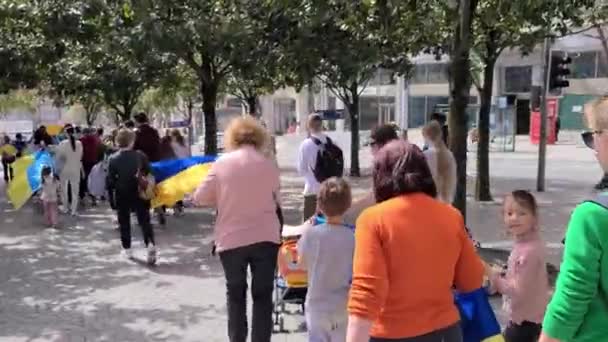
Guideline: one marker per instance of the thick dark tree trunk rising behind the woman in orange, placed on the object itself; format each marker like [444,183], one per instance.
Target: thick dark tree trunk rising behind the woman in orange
[460,86]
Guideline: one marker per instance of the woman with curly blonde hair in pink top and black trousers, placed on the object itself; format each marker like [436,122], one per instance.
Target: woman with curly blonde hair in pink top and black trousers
[247,230]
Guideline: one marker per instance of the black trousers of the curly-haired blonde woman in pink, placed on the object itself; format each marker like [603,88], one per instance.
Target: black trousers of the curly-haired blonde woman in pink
[262,259]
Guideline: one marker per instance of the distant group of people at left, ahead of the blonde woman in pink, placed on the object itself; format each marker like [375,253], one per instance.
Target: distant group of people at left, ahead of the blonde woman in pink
[121,157]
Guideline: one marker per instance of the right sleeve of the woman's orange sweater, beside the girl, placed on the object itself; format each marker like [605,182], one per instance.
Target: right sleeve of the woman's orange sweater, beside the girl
[469,272]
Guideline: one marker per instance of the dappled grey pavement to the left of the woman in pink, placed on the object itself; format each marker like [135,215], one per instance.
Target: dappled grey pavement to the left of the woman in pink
[71,284]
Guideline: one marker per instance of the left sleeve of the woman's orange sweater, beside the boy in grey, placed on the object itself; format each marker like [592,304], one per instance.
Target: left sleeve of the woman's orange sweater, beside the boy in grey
[370,276]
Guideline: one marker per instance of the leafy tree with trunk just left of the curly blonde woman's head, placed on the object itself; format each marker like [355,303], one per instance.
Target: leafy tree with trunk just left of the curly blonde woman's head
[210,37]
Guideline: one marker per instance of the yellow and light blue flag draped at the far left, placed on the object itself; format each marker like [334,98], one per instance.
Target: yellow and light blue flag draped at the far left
[27,172]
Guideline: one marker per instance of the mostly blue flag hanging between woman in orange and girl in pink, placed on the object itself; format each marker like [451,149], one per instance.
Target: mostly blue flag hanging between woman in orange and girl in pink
[478,321]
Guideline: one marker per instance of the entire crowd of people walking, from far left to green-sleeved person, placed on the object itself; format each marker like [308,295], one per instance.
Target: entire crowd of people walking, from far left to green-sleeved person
[394,277]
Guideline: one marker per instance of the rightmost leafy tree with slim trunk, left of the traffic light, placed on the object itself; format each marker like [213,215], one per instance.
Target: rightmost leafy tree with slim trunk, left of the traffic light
[500,25]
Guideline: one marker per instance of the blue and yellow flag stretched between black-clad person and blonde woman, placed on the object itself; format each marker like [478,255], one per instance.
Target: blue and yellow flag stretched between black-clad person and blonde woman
[178,177]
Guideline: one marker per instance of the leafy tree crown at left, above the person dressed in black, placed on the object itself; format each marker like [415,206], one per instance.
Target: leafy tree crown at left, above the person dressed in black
[109,61]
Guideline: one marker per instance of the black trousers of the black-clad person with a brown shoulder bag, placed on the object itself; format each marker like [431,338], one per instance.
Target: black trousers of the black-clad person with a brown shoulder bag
[125,205]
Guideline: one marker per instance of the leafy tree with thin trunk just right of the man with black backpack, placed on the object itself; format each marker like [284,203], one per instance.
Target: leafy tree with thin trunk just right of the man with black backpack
[343,43]
